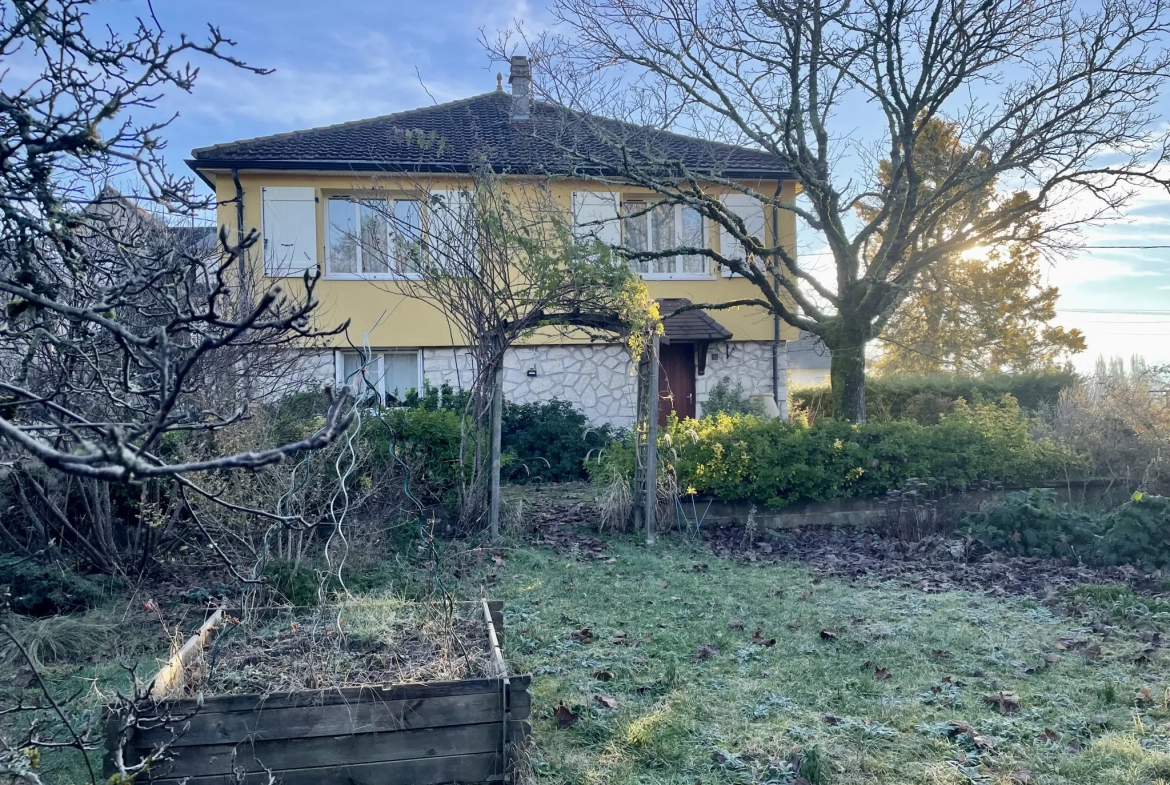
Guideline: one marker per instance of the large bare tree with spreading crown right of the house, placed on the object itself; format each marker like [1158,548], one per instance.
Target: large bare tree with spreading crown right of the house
[1055,98]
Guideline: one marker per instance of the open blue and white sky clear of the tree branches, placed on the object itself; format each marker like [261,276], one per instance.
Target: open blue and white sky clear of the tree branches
[347,60]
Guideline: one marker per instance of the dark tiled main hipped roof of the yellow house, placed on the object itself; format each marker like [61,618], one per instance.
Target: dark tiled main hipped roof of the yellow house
[462,135]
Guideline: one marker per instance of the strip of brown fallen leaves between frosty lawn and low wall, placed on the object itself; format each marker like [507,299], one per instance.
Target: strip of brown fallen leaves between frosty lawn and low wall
[933,564]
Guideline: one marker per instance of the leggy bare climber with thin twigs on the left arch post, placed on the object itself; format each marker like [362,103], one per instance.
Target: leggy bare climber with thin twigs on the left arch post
[500,260]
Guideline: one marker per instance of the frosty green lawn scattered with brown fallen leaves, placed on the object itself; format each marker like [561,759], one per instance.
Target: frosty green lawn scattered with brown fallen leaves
[655,657]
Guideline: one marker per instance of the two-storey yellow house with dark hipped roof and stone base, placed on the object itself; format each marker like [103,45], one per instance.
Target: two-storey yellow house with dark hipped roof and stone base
[300,190]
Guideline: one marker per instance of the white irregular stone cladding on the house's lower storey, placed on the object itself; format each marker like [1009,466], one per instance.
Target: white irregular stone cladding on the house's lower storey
[596,378]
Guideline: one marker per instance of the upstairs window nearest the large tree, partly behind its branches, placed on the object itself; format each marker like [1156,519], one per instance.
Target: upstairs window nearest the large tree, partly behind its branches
[650,228]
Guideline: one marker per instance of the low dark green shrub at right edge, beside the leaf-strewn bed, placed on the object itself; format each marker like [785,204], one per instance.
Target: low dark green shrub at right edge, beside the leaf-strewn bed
[1033,524]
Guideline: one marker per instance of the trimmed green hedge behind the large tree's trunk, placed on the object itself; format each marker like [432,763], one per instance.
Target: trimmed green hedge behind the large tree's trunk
[926,397]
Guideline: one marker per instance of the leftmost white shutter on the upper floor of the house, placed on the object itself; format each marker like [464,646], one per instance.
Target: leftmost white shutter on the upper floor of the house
[290,231]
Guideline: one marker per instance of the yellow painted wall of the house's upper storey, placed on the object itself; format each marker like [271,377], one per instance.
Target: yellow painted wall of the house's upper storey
[394,319]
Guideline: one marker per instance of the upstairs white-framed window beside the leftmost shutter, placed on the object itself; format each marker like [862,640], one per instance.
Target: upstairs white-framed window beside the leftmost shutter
[375,237]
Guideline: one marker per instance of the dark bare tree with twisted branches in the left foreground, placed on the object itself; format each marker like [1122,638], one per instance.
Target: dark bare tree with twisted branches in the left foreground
[109,327]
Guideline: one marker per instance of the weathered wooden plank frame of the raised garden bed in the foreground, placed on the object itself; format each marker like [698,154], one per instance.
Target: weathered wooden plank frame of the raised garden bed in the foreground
[419,734]
